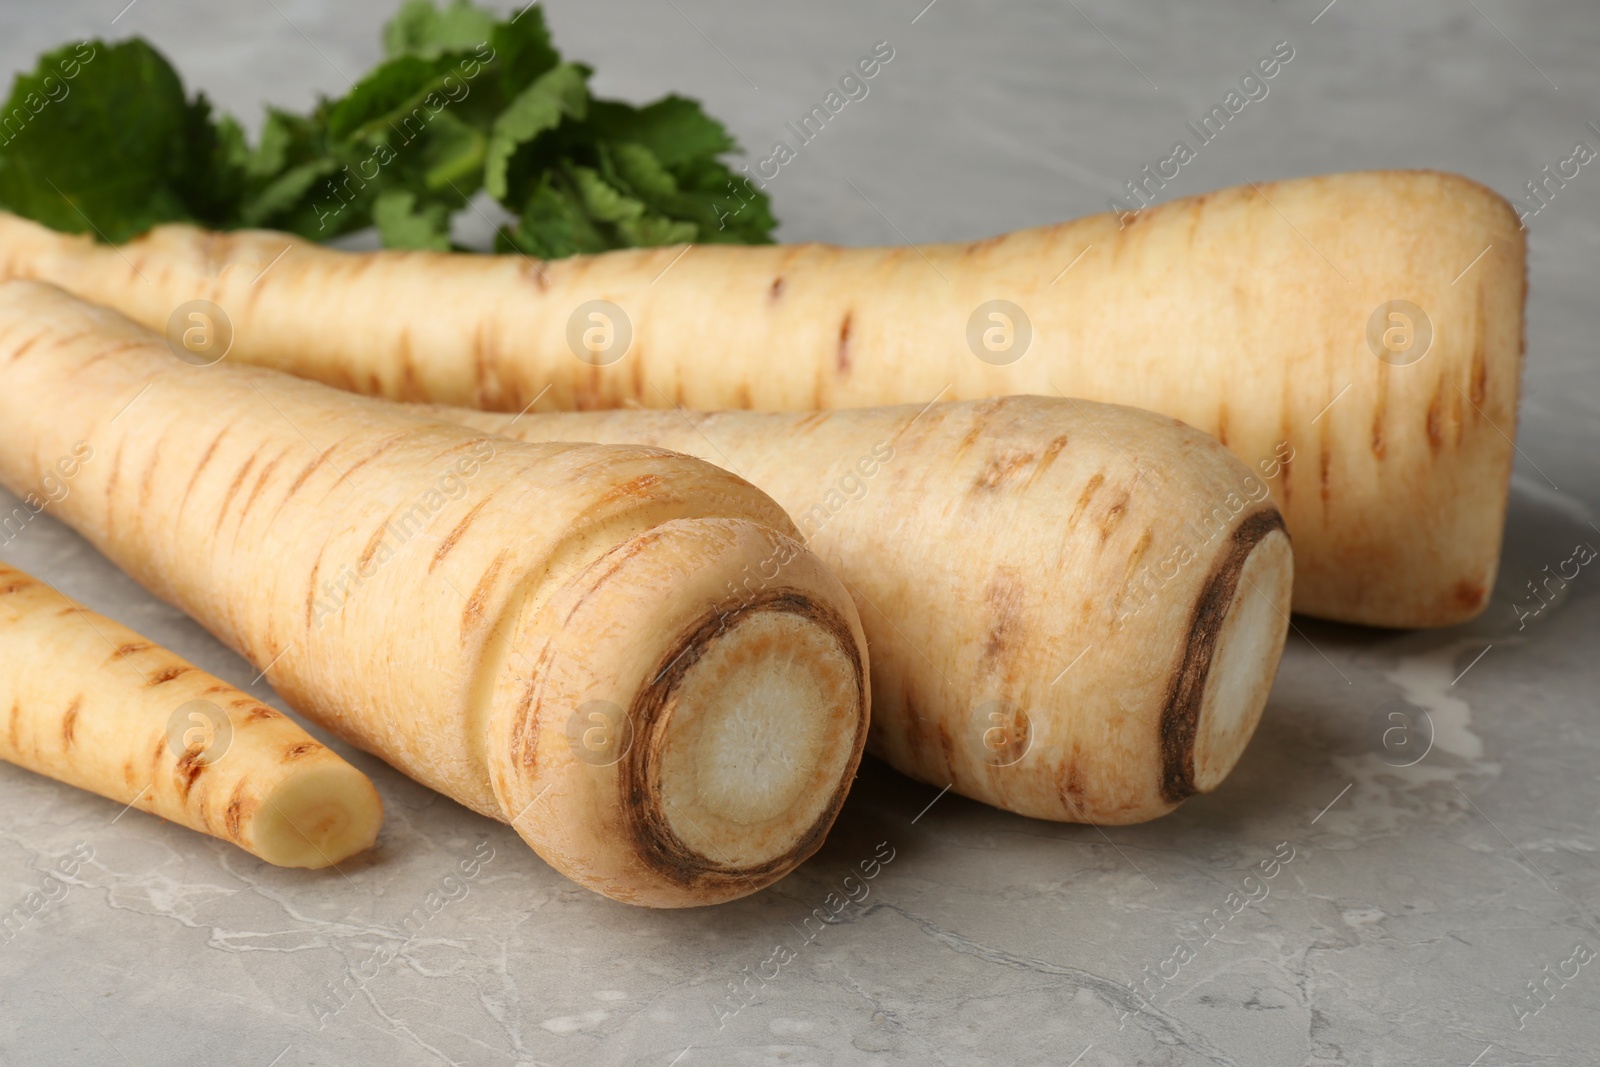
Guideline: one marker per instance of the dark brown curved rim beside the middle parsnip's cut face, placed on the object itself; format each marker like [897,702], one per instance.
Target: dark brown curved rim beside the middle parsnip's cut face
[1186,690]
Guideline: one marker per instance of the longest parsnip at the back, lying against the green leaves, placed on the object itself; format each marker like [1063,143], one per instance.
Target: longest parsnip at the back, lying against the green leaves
[1257,314]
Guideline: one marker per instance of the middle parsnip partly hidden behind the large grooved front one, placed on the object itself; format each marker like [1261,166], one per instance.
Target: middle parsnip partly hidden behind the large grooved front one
[1076,610]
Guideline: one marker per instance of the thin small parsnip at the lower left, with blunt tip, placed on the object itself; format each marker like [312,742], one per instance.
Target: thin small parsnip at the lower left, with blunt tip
[94,705]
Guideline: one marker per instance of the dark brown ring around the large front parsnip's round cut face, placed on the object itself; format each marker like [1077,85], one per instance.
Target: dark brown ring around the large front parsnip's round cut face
[647,825]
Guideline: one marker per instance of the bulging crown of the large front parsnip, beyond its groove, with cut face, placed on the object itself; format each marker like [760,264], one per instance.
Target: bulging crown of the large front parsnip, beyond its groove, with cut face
[697,714]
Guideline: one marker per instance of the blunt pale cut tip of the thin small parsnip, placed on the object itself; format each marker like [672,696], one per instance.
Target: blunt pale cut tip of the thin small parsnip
[318,818]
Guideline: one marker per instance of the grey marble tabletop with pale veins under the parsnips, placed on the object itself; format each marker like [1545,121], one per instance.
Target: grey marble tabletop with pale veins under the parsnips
[1412,906]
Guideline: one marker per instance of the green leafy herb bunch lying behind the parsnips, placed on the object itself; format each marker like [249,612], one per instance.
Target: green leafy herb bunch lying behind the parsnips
[103,138]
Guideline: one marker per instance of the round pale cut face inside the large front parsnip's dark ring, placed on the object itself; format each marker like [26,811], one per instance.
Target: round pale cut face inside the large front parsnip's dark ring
[756,740]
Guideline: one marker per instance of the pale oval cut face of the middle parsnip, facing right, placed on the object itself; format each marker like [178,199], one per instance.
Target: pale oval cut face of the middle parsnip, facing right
[1254,588]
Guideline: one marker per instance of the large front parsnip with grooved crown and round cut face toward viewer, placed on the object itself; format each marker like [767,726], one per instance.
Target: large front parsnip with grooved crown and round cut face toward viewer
[538,631]
